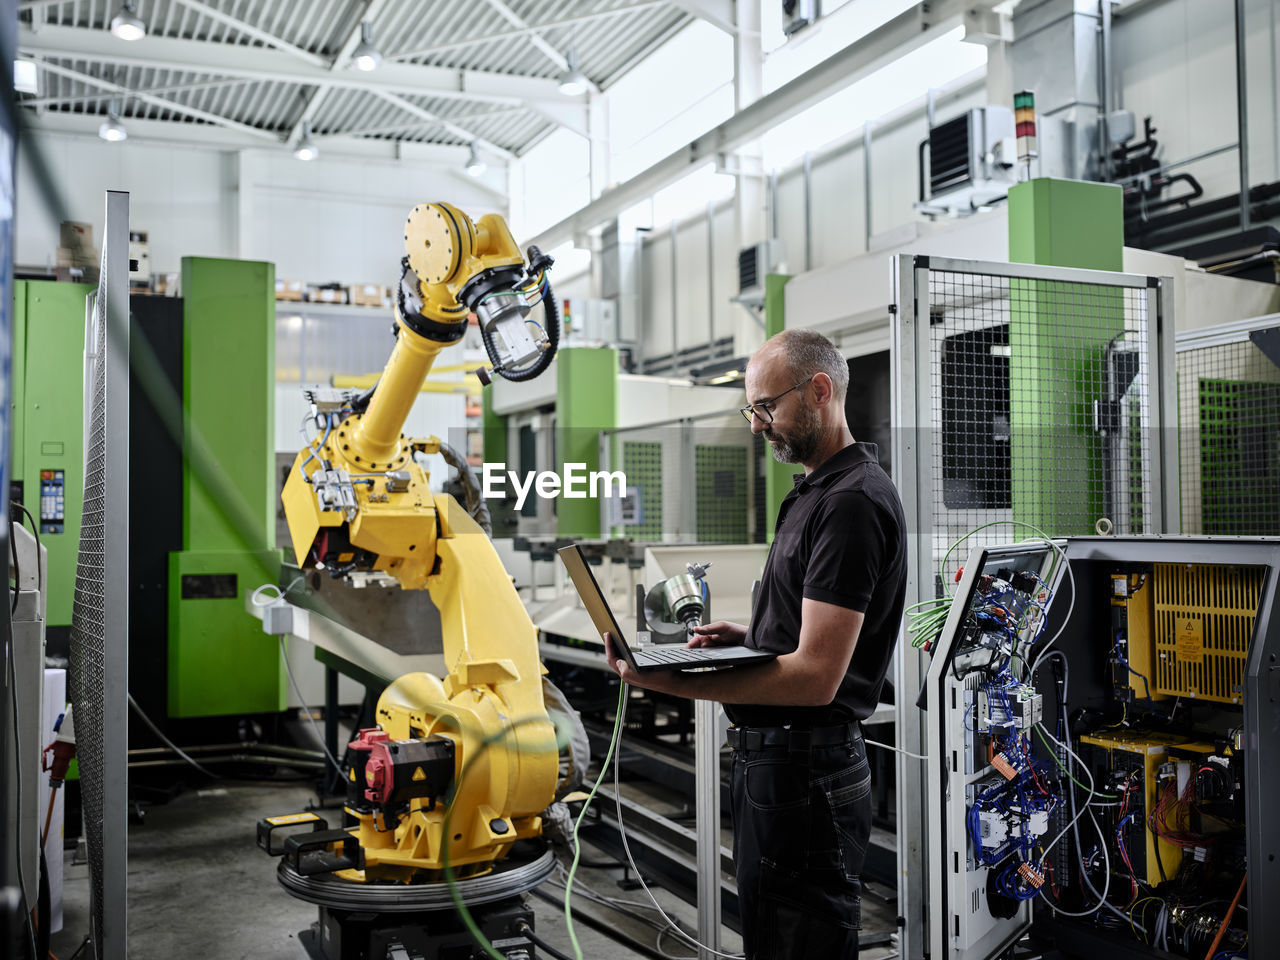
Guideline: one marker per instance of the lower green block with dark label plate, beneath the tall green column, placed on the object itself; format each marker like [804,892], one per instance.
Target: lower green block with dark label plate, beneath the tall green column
[221,661]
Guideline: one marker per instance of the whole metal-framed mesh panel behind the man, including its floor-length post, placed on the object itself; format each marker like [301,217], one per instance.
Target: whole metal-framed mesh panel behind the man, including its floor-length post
[1027,400]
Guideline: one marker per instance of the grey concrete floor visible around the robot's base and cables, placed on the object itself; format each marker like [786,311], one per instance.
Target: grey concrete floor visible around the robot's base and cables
[200,888]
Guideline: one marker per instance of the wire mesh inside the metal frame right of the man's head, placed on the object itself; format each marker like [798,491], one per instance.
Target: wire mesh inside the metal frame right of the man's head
[1039,409]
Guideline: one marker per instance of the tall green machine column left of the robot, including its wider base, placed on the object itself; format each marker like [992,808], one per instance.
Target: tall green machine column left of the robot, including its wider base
[221,662]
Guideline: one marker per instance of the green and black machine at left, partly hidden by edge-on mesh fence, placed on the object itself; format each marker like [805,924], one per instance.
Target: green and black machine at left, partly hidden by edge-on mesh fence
[202,513]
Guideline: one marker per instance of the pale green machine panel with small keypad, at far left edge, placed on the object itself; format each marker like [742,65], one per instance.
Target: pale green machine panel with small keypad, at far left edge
[48,424]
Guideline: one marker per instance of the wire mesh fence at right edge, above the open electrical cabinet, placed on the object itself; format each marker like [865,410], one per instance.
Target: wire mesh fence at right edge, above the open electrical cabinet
[1229,432]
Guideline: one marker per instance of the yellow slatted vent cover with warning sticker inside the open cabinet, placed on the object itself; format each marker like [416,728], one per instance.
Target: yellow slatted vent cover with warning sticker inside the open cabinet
[1203,621]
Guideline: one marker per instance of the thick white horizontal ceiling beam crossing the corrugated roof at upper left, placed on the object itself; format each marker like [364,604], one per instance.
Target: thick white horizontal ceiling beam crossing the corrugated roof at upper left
[258,63]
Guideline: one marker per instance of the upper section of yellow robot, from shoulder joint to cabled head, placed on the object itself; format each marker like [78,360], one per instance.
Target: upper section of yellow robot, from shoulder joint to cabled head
[356,500]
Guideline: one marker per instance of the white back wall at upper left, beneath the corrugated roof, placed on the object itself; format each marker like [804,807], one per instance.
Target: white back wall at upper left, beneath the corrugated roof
[332,220]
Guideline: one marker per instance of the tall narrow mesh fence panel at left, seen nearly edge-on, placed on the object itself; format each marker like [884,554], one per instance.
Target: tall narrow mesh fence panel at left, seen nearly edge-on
[89,612]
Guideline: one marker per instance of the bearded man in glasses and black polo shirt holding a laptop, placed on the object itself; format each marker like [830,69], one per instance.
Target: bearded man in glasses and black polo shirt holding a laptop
[830,606]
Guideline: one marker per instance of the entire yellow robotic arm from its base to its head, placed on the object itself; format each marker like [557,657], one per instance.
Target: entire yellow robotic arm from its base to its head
[358,501]
